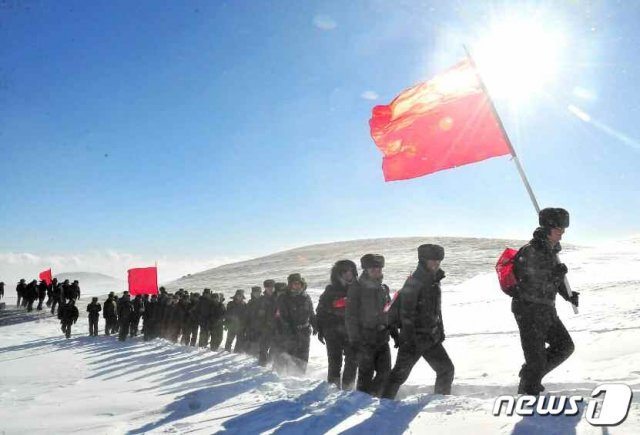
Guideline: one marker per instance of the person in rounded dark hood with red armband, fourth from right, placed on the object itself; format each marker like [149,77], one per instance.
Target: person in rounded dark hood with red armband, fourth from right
[332,328]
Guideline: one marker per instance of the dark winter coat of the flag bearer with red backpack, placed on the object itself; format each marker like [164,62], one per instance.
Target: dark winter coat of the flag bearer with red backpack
[535,268]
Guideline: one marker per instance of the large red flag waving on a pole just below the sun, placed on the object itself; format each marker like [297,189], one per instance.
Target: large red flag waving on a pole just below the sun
[439,124]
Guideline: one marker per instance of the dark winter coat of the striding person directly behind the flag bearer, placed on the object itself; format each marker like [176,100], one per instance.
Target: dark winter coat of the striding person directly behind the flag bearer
[421,308]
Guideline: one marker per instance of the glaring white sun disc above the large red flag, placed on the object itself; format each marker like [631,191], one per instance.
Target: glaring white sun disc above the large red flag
[517,57]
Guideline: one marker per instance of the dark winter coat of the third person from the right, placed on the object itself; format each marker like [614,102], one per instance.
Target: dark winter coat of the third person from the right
[366,319]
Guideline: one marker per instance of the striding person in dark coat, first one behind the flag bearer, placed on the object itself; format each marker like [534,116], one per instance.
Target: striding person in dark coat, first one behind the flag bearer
[421,326]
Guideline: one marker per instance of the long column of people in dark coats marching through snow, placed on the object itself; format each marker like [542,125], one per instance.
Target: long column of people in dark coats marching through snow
[355,317]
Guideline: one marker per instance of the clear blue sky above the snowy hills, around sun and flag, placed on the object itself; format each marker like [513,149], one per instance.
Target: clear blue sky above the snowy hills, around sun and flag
[222,129]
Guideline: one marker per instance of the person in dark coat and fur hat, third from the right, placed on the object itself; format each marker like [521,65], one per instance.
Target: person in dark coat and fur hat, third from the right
[367,325]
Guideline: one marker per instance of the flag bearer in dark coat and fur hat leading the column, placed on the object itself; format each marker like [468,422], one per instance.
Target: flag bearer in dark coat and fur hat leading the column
[540,277]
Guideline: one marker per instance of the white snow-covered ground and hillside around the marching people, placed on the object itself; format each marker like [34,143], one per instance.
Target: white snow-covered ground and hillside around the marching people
[98,385]
